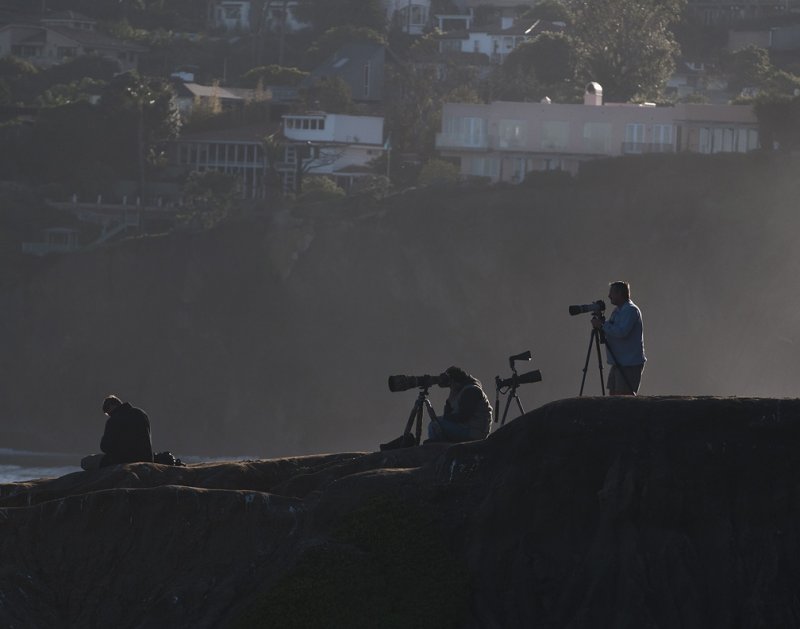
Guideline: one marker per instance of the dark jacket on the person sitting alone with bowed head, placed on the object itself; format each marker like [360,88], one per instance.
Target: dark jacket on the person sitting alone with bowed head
[127,436]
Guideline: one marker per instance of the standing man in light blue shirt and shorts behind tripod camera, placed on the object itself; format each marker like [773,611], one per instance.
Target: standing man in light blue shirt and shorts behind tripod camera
[624,341]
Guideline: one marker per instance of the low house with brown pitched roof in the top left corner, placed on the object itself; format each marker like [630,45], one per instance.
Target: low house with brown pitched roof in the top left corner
[62,36]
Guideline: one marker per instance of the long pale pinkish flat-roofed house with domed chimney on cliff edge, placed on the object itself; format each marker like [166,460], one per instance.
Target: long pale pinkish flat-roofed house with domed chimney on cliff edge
[506,140]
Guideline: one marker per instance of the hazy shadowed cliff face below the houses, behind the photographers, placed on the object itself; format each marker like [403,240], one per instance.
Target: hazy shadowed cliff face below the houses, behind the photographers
[275,336]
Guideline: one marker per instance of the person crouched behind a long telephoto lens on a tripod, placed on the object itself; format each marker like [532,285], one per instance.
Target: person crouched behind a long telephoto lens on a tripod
[467,412]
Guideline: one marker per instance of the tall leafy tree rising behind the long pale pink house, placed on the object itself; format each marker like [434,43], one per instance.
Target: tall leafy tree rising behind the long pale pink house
[627,45]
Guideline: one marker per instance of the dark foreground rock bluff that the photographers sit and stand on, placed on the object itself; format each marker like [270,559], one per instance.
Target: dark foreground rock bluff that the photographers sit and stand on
[586,512]
